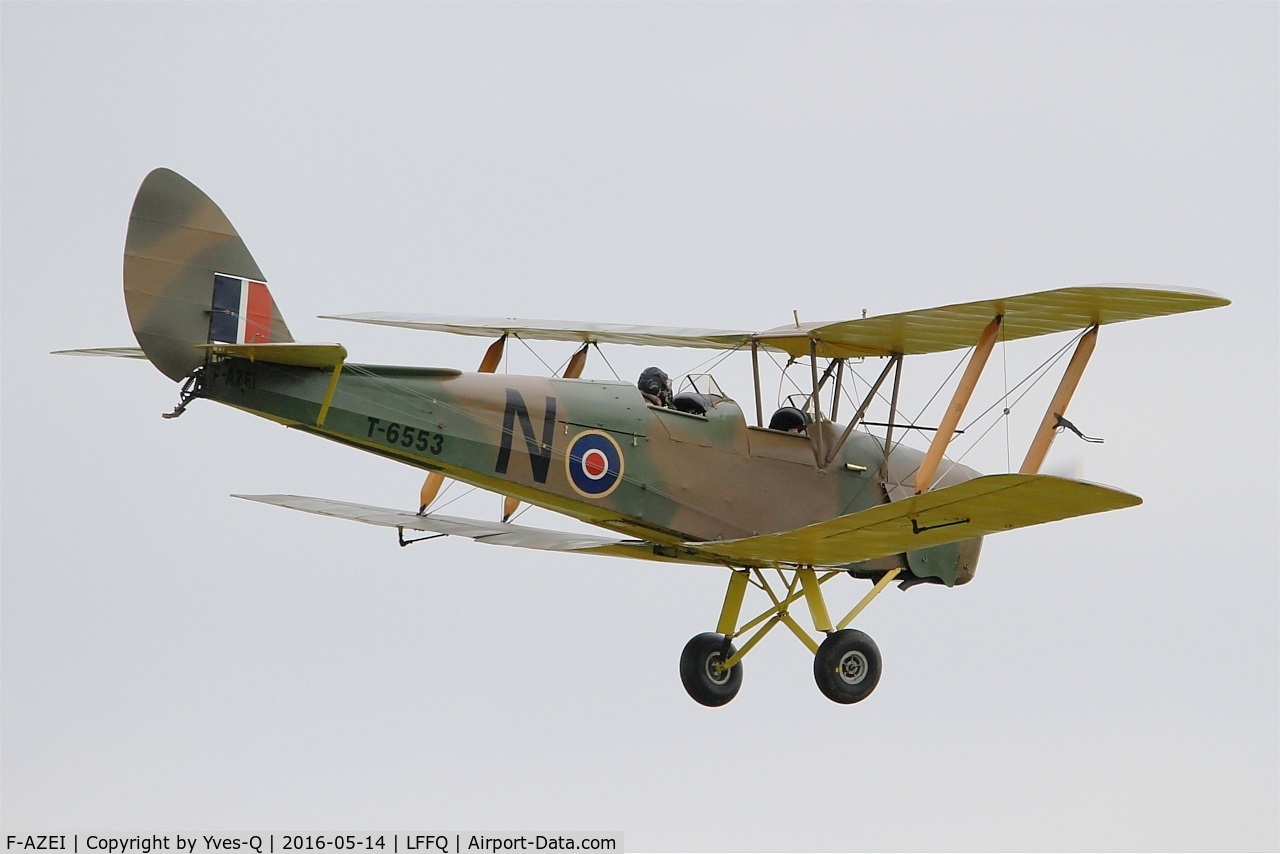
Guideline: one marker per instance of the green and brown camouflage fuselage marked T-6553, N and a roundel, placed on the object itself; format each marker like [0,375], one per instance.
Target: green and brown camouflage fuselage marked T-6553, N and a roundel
[589,449]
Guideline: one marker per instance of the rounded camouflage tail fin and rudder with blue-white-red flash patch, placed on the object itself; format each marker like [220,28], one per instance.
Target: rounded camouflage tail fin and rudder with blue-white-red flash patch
[190,280]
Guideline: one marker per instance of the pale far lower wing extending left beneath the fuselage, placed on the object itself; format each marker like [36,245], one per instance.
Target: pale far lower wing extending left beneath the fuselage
[482,532]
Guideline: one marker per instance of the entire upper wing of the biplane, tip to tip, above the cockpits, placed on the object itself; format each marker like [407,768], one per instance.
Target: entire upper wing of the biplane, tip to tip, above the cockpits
[927,331]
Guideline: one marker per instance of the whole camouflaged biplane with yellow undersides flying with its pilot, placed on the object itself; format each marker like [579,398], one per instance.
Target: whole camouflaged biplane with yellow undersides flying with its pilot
[785,504]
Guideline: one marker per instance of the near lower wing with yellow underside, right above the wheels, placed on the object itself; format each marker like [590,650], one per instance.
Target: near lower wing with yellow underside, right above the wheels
[973,509]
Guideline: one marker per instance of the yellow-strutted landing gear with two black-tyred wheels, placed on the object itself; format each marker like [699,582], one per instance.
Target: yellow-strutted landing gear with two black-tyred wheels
[847,664]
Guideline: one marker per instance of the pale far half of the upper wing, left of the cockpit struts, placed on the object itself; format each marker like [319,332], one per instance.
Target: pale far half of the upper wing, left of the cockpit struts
[579,332]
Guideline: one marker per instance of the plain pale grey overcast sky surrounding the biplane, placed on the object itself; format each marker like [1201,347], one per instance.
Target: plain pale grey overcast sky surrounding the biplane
[179,660]
